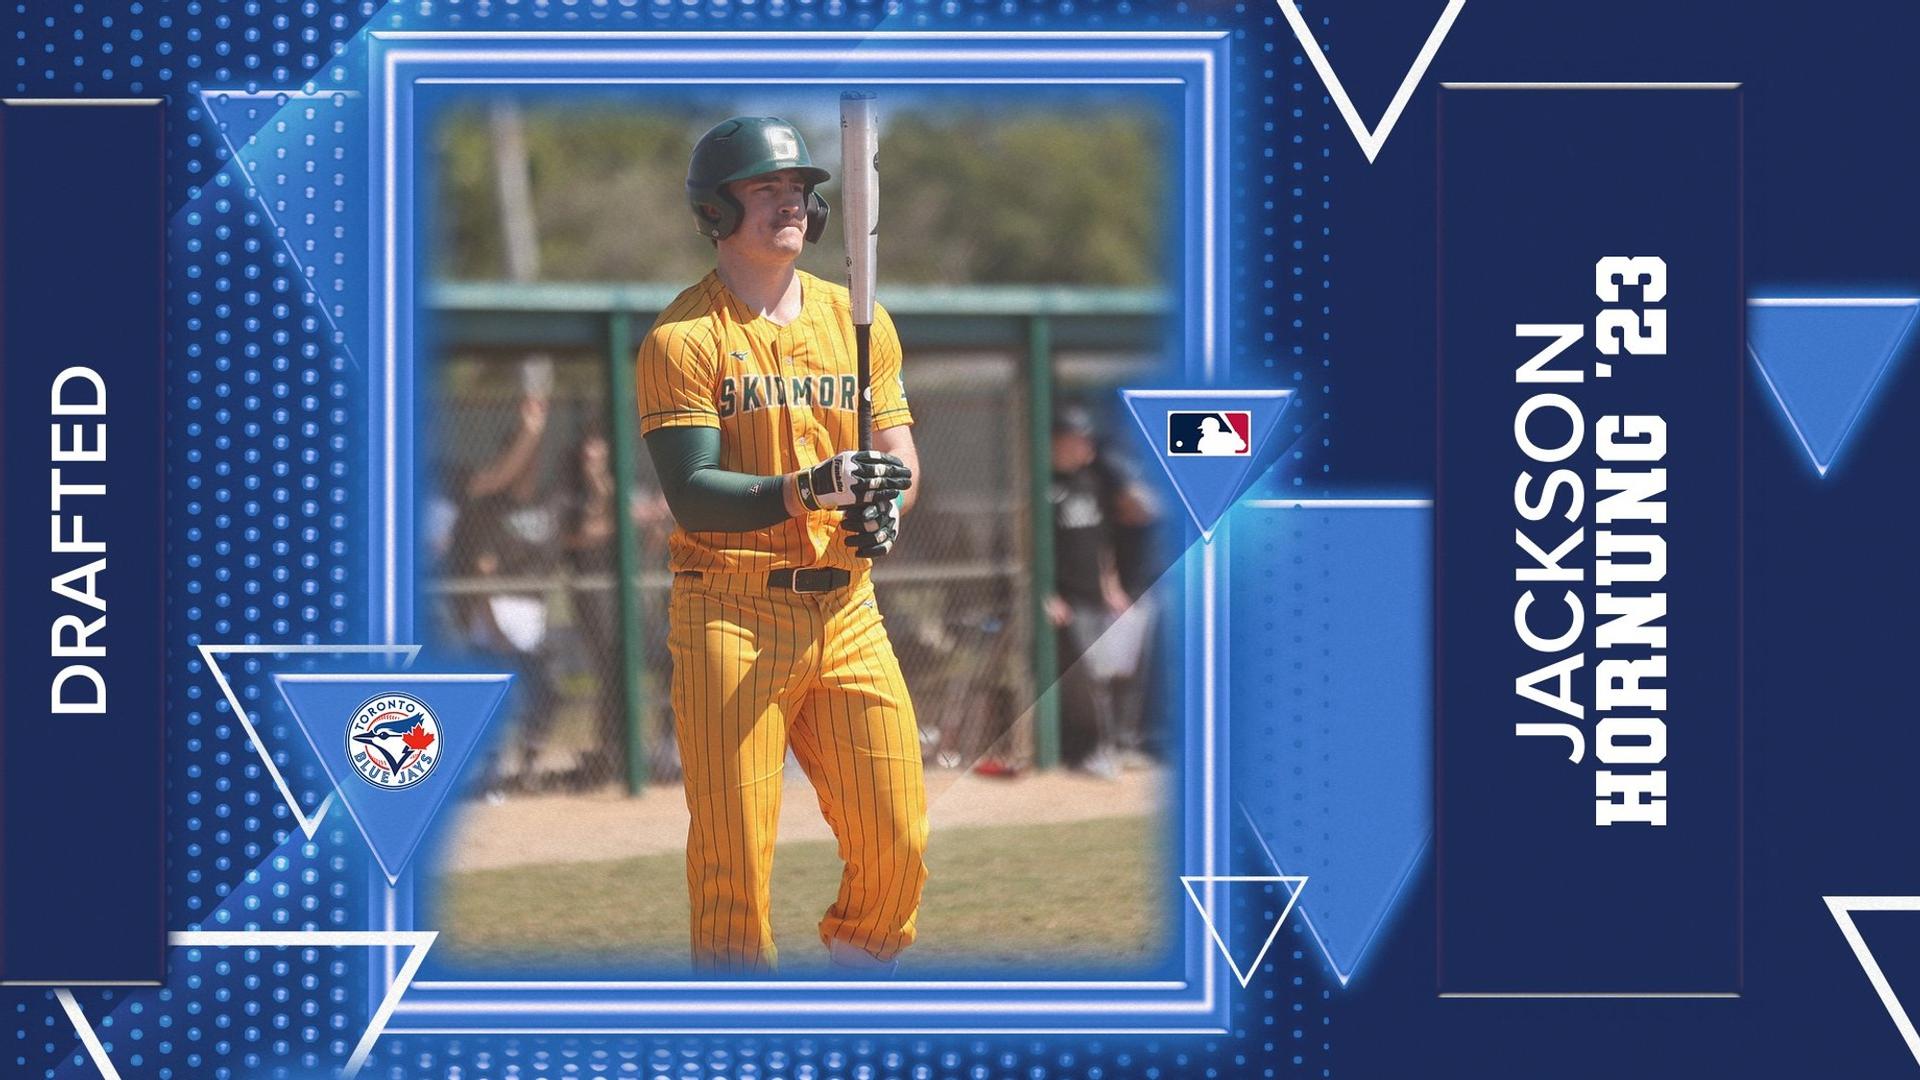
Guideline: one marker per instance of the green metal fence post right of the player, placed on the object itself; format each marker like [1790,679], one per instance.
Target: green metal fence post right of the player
[1042,476]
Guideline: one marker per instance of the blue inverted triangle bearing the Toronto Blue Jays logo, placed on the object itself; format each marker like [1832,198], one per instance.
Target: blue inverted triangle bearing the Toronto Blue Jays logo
[437,722]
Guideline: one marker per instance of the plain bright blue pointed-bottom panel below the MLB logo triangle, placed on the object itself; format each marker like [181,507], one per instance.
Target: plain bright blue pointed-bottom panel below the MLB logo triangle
[1332,629]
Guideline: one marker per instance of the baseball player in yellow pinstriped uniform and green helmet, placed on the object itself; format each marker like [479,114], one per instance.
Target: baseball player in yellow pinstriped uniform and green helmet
[748,403]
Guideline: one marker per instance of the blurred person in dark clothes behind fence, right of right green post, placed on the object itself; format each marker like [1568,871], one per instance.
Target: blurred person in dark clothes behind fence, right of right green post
[1090,499]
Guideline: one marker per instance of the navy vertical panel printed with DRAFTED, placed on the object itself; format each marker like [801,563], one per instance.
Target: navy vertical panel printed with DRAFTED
[82,727]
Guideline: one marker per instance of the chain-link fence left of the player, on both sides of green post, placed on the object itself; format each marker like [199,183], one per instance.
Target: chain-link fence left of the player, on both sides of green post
[525,543]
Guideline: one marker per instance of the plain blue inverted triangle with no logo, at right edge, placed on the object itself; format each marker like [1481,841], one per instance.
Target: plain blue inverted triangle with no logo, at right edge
[1823,362]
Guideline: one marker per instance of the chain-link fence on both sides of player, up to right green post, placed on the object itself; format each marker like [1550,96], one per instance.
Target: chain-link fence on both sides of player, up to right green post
[525,543]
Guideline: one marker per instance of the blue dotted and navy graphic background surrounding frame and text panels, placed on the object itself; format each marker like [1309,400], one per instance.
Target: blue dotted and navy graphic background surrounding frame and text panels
[1333,268]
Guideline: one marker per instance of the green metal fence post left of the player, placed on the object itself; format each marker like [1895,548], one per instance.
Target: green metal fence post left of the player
[625,447]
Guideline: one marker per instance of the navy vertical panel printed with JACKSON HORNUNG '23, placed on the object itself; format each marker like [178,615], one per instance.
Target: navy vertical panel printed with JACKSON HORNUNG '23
[1589,635]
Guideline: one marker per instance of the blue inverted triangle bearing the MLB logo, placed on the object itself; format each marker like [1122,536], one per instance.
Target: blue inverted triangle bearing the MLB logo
[1207,483]
